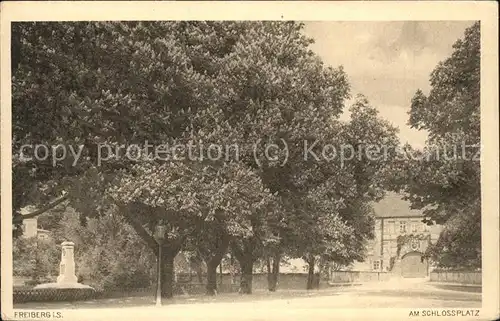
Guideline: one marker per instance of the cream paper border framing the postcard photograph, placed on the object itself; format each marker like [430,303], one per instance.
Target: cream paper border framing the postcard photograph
[486,11]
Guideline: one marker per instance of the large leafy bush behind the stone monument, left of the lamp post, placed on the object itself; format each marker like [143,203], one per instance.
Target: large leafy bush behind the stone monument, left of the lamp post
[108,253]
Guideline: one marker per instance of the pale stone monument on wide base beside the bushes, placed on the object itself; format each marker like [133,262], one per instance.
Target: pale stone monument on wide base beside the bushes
[67,277]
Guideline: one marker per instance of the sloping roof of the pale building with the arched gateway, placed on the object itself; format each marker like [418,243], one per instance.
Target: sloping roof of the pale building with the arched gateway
[393,205]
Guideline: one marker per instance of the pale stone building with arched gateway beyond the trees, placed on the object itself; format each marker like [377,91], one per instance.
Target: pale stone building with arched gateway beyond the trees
[400,240]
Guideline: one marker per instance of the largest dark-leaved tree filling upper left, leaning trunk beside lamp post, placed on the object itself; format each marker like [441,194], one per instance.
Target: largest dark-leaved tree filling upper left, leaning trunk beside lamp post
[99,83]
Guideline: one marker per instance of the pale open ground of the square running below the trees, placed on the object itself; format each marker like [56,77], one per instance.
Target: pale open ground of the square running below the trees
[380,295]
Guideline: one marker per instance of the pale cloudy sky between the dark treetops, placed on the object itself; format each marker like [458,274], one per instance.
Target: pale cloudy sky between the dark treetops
[387,61]
